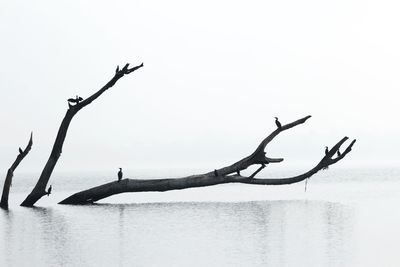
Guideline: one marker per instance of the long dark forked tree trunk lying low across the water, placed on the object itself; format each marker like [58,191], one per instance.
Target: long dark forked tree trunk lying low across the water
[229,174]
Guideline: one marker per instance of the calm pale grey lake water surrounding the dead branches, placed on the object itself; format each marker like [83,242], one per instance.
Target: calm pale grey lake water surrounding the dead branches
[346,218]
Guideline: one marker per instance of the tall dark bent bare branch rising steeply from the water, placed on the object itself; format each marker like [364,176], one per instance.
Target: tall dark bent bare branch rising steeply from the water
[40,189]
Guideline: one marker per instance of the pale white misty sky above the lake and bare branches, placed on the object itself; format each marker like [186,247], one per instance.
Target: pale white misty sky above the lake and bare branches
[215,75]
